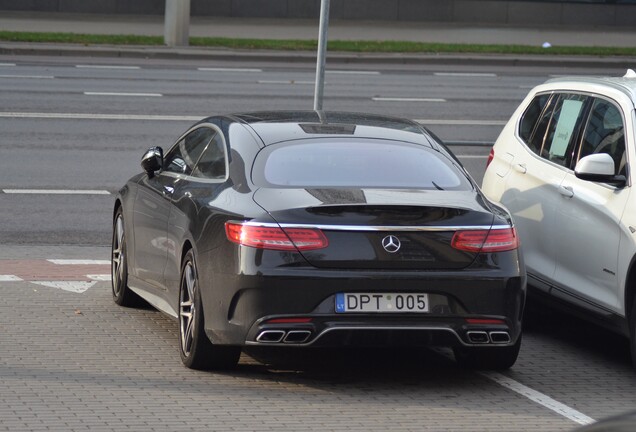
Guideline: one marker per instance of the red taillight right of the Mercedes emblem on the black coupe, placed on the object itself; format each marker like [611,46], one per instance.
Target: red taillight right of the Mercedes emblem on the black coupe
[496,240]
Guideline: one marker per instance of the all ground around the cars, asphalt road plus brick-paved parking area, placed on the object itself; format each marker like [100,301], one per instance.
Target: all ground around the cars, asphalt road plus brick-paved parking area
[73,360]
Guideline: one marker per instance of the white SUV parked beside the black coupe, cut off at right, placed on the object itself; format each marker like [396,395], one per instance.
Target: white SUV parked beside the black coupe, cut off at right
[563,166]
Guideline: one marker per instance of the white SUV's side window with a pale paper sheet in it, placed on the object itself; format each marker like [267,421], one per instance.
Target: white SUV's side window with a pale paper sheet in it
[560,137]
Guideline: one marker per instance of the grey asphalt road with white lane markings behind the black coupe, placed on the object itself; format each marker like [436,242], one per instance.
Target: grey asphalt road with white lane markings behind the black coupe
[82,124]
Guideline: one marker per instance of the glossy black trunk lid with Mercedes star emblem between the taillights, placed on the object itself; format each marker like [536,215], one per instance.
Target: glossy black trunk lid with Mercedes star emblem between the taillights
[380,229]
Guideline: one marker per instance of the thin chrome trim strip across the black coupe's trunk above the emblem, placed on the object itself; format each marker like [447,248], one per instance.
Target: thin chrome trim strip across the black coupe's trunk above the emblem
[376,228]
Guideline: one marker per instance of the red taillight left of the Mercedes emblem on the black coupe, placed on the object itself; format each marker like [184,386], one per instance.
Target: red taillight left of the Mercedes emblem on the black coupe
[266,237]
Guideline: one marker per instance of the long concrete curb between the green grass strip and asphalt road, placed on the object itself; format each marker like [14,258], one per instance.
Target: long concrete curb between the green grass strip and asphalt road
[194,53]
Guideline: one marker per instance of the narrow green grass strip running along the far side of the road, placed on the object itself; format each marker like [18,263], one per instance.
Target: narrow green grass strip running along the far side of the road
[311,45]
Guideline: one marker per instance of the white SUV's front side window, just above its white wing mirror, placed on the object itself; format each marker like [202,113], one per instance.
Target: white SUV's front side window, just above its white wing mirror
[604,133]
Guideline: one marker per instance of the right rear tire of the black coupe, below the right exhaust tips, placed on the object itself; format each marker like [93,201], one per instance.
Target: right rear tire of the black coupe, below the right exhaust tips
[488,358]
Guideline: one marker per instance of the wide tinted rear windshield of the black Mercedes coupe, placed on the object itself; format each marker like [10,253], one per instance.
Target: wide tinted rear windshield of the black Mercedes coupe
[356,163]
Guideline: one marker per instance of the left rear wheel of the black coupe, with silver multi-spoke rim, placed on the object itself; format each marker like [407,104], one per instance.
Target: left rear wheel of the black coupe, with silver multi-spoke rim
[197,352]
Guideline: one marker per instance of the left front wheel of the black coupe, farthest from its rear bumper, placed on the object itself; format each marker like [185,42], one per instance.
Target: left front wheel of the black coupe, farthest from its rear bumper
[122,295]
